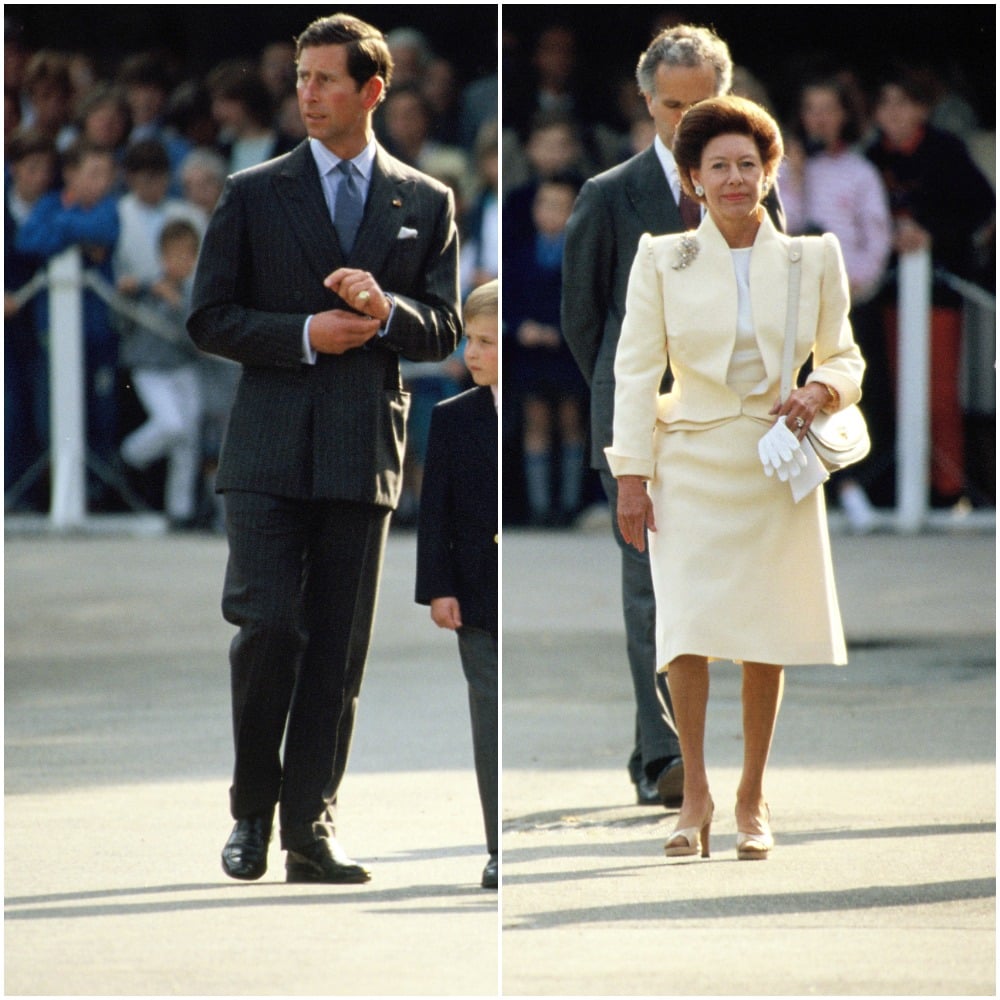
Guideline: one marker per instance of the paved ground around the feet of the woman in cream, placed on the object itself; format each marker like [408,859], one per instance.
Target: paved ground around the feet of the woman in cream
[882,788]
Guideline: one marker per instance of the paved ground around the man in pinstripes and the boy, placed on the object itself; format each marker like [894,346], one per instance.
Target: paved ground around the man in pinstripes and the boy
[117,766]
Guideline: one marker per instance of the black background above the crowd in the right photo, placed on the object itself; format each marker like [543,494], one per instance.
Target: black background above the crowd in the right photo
[778,43]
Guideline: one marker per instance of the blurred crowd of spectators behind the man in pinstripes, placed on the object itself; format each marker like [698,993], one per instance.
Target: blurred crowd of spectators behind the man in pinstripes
[127,161]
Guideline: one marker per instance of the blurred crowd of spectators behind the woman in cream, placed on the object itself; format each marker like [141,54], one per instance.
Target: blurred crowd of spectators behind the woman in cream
[875,162]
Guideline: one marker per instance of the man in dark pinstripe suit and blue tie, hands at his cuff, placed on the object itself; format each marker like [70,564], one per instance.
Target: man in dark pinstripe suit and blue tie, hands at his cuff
[320,269]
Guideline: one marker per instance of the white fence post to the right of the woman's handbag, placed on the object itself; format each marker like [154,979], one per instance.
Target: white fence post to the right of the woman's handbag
[913,390]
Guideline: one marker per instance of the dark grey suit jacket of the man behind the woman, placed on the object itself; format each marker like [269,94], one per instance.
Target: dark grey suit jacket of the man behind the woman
[612,212]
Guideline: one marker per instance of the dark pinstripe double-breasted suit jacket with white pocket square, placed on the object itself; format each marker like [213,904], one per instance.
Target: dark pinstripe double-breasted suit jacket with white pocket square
[335,430]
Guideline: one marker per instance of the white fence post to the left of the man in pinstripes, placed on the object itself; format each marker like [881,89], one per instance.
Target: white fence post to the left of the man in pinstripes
[67,403]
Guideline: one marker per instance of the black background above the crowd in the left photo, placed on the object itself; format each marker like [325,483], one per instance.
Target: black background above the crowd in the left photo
[201,35]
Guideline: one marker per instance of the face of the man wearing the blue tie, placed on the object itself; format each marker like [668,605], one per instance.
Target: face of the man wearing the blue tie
[334,109]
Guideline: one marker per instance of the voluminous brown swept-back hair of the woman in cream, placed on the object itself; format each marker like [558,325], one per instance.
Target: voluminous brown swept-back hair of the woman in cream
[725,116]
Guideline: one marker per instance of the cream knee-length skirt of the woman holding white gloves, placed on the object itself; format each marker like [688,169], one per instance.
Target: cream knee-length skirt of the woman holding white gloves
[740,571]
